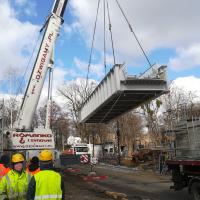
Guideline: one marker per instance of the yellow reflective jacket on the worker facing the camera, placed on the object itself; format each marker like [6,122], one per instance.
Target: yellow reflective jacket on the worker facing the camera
[14,186]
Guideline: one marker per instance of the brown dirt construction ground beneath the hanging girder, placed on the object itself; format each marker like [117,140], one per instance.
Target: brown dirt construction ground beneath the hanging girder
[121,183]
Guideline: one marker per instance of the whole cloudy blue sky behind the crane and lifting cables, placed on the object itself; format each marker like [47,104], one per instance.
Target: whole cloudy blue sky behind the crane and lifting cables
[168,30]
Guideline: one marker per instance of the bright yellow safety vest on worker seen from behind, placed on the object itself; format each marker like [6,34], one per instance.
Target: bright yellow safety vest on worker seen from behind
[48,185]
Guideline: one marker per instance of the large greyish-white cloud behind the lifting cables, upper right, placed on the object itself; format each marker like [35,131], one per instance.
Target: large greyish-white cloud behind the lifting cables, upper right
[157,23]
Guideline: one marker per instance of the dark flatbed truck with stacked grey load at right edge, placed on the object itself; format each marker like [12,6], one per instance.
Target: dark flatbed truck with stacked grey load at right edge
[185,165]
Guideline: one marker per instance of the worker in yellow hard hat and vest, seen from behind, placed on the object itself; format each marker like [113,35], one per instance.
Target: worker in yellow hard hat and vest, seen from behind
[46,184]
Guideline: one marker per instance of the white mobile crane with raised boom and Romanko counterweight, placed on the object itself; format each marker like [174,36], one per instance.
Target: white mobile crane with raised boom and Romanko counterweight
[24,137]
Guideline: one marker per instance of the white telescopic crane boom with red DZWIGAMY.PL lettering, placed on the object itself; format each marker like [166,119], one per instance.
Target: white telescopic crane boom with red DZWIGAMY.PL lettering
[43,59]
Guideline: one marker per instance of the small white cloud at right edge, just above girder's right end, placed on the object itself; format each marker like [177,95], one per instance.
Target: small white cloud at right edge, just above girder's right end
[186,58]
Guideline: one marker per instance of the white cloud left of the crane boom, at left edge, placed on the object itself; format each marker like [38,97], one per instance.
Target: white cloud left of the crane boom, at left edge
[16,41]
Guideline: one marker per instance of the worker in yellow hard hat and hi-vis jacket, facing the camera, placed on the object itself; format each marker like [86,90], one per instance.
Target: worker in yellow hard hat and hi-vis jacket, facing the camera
[14,184]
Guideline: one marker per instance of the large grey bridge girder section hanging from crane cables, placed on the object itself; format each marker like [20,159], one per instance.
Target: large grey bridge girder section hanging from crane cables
[118,93]
